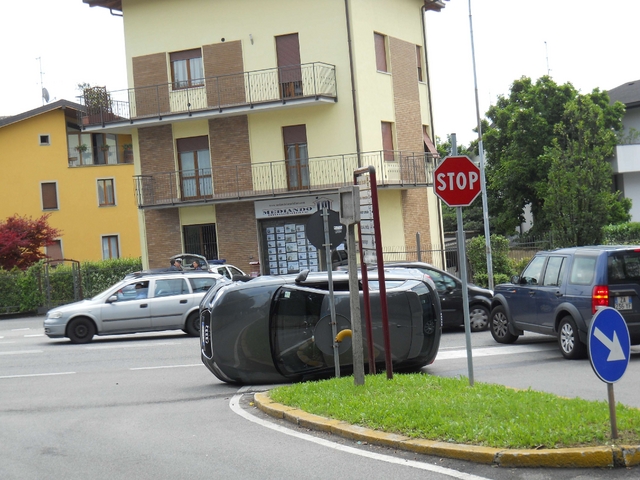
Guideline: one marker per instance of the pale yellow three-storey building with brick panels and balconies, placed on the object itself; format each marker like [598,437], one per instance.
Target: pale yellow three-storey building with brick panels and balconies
[247,116]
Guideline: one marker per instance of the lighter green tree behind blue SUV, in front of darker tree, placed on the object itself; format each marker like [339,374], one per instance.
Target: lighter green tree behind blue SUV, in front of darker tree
[578,200]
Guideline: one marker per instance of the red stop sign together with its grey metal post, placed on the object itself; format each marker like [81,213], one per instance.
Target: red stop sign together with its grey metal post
[456,181]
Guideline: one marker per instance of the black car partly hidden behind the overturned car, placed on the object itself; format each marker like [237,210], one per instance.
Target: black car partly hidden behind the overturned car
[449,289]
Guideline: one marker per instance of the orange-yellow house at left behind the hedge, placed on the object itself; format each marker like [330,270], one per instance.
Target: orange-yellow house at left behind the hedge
[86,190]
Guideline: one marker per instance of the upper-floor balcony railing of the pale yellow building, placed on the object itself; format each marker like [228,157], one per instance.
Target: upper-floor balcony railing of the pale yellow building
[246,89]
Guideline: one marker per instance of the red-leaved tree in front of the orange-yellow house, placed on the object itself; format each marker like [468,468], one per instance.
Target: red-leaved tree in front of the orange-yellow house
[22,240]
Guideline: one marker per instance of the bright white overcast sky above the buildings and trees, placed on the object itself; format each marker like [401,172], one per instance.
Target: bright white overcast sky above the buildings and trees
[589,43]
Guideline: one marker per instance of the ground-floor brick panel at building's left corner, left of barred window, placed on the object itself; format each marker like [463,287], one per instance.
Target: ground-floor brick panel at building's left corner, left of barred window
[164,238]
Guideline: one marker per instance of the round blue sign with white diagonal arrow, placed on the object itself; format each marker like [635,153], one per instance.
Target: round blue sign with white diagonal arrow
[609,345]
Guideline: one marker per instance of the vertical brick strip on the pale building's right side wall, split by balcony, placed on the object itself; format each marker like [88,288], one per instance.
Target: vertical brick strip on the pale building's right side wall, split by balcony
[415,212]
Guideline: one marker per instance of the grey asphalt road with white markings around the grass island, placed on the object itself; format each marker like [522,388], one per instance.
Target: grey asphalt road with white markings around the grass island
[143,406]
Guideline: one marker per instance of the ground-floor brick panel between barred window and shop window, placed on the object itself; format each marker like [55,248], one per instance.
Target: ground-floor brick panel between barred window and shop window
[237,231]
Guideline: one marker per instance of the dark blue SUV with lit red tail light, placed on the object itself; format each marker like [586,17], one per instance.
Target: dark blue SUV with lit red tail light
[559,291]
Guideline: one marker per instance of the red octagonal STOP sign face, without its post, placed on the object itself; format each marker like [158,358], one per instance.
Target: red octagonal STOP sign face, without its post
[457,181]
